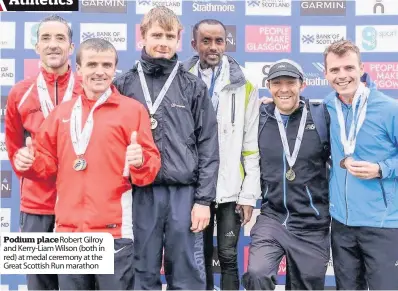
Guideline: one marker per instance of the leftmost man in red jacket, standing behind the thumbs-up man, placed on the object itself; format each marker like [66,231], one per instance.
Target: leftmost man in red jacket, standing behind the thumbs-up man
[29,103]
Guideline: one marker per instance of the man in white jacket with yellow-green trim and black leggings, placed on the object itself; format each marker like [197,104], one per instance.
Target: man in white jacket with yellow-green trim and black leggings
[235,100]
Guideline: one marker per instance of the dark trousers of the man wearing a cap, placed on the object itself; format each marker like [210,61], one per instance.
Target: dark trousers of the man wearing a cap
[307,255]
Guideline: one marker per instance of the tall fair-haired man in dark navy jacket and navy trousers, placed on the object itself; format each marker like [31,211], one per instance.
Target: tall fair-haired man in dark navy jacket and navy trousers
[172,212]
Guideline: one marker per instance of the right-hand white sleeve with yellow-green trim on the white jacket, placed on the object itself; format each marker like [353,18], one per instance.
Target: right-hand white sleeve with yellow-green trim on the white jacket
[251,188]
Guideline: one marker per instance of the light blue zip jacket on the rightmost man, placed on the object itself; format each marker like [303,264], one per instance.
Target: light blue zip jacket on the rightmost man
[359,202]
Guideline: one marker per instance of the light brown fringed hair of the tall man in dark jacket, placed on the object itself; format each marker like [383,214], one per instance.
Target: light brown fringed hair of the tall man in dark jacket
[164,16]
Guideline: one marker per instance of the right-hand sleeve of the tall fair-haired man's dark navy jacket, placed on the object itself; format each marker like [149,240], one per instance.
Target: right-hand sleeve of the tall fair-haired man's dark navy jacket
[206,132]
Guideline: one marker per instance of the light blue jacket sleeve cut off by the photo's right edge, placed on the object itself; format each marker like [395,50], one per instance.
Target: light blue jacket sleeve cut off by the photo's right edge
[389,167]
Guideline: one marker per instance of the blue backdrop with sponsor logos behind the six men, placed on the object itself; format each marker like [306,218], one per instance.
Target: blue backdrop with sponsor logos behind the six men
[259,32]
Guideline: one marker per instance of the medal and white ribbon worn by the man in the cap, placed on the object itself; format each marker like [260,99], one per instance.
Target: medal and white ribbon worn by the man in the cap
[291,158]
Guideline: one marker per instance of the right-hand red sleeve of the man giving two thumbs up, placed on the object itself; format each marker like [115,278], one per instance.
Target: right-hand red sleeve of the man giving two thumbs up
[147,173]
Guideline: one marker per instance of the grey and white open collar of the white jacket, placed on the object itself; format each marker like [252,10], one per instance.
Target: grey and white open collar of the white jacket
[236,76]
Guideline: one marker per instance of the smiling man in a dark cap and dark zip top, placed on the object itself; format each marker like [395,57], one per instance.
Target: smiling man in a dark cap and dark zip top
[294,219]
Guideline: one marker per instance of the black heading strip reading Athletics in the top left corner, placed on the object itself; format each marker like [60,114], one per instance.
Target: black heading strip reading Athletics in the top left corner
[39,5]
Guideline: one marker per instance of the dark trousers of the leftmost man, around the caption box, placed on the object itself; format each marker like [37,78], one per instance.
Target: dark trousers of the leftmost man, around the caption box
[39,223]
